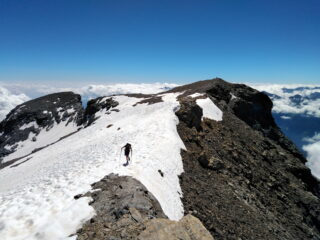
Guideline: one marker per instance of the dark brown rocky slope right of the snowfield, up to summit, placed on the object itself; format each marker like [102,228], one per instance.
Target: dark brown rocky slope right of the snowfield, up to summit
[243,179]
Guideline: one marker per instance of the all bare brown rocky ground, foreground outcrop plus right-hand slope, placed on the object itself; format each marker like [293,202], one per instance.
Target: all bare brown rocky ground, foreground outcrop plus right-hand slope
[243,179]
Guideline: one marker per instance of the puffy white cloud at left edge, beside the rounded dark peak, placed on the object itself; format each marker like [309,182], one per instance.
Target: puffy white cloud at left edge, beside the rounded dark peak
[9,100]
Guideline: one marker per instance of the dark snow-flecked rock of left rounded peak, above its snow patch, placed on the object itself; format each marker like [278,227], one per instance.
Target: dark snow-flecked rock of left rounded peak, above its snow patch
[37,114]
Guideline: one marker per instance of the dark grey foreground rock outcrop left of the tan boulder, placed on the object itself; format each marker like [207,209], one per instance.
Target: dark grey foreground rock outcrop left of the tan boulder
[121,204]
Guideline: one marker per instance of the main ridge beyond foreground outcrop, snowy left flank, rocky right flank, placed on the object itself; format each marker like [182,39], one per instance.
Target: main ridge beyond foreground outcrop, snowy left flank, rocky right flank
[210,148]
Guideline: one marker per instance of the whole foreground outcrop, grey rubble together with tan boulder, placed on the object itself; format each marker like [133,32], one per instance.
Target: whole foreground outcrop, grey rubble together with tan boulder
[126,210]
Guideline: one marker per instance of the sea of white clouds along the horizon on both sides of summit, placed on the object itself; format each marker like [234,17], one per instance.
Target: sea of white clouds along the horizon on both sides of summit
[288,100]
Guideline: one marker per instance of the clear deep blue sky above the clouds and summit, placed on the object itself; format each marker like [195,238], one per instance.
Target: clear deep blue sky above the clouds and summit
[265,41]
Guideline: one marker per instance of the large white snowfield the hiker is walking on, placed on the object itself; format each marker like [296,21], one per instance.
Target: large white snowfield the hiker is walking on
[37,197]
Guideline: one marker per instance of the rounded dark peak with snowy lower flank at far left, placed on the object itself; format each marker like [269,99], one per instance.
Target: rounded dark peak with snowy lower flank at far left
[38,123]
